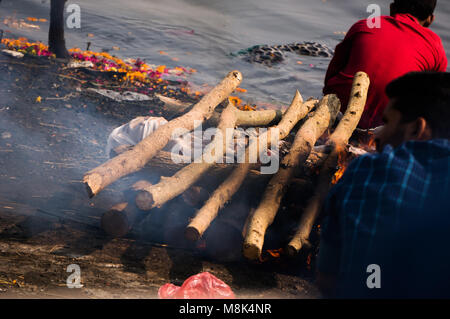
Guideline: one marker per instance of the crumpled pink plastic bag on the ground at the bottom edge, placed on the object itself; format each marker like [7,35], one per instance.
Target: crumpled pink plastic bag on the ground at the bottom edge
[201,286]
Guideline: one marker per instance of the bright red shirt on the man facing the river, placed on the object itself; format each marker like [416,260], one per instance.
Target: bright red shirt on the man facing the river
[400,46]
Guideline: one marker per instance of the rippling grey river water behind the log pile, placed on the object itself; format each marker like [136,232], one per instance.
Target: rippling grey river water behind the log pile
[201,34]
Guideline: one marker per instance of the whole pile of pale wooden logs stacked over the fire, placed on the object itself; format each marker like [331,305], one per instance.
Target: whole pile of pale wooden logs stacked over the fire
[308,121]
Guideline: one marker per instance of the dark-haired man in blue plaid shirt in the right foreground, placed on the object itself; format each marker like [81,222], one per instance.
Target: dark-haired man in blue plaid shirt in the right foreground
[387,221]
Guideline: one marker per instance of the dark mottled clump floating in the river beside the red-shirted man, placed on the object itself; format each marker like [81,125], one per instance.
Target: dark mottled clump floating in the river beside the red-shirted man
[273,54]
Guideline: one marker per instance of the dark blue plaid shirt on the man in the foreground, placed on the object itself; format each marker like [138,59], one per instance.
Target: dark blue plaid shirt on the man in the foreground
[390,209]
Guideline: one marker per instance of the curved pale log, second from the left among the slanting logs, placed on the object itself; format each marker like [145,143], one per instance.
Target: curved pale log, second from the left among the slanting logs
[170,187]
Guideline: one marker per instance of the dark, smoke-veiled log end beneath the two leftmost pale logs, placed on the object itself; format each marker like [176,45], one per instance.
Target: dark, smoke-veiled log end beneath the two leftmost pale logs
[118,221]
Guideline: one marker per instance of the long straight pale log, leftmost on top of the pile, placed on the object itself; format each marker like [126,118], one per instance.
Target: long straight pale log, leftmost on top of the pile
[134,159]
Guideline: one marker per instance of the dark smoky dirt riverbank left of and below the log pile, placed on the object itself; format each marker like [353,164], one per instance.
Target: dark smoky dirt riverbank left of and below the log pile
[47,222]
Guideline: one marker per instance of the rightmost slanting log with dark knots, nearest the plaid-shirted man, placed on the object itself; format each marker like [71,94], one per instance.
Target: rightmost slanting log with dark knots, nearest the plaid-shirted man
[338,142]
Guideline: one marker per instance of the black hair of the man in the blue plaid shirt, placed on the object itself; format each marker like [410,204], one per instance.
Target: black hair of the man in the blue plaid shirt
[423,94]
